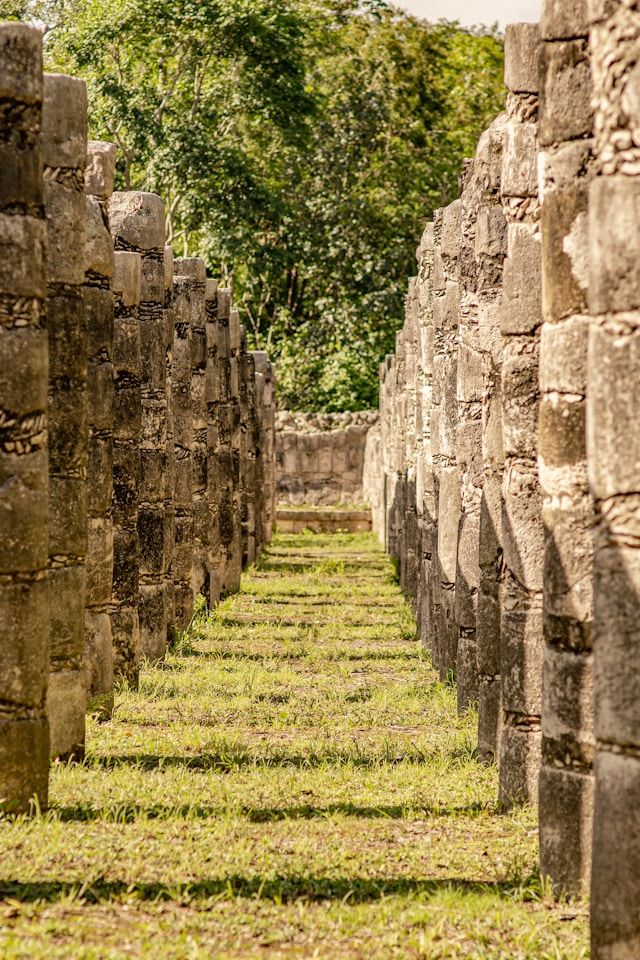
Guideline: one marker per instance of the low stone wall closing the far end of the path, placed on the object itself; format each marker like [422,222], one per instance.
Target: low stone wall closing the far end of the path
[320,457]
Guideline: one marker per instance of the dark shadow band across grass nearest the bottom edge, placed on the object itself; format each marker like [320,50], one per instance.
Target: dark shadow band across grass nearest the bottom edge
[281,889]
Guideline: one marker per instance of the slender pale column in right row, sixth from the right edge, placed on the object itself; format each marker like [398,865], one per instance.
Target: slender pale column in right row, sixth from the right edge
[446,317]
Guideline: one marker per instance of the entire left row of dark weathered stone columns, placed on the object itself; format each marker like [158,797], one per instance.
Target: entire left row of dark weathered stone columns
[137,431]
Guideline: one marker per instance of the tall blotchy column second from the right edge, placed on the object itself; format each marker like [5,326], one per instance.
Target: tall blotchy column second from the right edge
[566,782]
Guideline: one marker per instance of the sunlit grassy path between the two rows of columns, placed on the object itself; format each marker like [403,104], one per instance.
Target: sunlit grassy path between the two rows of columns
[292,783]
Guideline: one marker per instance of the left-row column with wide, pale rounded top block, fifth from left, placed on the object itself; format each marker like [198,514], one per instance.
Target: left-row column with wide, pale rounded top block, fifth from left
[137,225]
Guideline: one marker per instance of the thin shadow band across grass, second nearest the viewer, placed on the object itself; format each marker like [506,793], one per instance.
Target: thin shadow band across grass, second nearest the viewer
[130,812]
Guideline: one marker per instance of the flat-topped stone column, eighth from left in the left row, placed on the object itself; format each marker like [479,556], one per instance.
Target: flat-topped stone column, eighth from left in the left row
[196,271]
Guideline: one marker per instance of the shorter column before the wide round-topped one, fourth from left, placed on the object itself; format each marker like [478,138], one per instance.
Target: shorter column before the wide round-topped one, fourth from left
[127,427]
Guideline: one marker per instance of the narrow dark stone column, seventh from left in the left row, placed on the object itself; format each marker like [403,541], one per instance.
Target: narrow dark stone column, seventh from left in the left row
[182,410]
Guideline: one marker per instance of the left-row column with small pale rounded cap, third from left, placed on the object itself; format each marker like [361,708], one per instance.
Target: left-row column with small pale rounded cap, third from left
[98,305]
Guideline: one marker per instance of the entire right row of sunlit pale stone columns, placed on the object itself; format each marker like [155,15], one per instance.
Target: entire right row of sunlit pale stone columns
[508,443]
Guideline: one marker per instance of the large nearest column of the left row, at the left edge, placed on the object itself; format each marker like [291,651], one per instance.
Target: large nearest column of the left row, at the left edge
[24,496]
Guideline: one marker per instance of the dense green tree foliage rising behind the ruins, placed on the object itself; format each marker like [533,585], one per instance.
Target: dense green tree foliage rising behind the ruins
[300,145]
